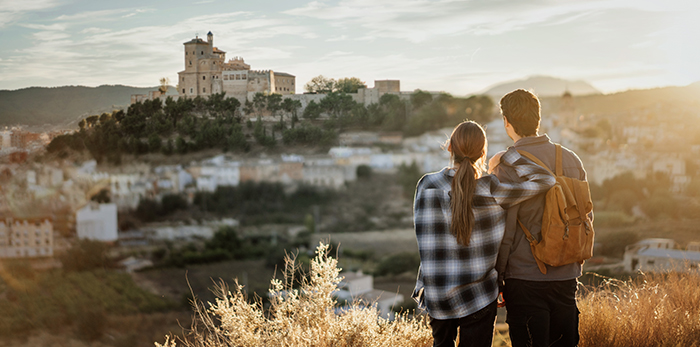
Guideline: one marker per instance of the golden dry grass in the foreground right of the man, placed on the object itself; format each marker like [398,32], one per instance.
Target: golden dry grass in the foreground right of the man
[652,310]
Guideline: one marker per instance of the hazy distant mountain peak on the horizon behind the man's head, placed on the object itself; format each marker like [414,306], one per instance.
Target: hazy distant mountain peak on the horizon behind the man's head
[543,86]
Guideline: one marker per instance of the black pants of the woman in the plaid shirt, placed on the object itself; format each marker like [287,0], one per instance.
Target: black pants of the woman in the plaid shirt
[474,330]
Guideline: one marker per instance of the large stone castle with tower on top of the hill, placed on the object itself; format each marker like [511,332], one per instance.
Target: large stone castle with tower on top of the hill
[207,72]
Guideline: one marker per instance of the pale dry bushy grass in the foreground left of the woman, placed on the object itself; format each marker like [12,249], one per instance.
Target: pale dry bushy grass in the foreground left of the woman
[299,316]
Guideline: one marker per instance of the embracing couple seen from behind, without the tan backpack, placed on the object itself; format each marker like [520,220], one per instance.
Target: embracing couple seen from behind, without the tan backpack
[471,248]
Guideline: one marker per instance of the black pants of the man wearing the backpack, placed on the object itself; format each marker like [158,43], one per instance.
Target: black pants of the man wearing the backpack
[542,314]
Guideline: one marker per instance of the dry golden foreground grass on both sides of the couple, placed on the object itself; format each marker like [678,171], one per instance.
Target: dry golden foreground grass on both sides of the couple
[651,310]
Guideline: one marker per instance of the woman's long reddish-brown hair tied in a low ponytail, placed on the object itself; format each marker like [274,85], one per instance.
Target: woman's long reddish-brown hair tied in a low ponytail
[467,145]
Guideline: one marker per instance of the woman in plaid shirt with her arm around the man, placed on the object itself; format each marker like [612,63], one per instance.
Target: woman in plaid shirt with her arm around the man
[459,218]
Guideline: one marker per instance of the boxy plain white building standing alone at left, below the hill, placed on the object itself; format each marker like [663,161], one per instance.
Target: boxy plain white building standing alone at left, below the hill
[97,222]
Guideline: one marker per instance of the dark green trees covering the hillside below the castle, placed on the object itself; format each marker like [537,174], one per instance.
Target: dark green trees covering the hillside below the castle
[189,125]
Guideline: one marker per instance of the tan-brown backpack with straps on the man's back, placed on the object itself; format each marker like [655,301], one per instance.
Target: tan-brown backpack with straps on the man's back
[567,230]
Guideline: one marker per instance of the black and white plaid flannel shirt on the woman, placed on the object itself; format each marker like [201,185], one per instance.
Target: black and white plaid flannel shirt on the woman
[455,281]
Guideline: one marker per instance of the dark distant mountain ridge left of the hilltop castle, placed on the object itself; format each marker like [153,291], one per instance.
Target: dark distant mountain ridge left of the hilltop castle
[63,105]
